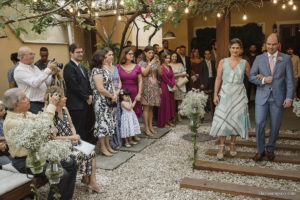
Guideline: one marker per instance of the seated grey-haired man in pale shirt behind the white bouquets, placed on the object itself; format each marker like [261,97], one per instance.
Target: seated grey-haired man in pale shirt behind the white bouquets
[17,102]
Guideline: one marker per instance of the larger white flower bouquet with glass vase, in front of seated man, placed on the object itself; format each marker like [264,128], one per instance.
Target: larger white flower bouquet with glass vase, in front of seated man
[31,133]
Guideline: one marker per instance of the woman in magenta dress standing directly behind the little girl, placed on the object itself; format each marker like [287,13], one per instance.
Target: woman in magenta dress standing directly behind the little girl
[131,78]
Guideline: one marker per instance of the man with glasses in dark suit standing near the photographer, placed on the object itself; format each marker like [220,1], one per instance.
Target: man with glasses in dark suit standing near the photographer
[79,91]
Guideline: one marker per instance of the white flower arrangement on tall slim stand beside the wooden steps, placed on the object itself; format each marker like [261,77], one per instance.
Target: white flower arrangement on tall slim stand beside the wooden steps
[192,107]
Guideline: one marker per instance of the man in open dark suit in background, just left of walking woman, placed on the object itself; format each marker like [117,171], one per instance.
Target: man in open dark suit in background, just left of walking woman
[207,72]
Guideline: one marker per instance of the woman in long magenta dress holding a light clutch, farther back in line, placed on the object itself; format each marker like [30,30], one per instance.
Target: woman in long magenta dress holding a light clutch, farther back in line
[166,110]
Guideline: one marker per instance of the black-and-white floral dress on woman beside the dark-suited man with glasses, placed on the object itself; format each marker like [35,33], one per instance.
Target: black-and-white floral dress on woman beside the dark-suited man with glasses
[105,123]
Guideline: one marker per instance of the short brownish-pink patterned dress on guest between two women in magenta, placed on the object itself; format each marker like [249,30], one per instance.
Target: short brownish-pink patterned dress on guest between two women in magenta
[151,86]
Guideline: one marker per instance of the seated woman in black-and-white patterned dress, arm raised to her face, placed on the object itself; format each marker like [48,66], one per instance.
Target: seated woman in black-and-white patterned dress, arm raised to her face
[65,130]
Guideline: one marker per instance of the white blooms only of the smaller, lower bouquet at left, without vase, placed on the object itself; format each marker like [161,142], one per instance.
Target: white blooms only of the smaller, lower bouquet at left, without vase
[56,150]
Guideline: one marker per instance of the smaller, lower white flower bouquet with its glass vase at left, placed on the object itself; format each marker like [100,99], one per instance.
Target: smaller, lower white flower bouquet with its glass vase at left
[54,151]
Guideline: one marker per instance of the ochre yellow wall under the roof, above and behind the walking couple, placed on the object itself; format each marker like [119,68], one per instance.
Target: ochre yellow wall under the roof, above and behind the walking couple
[269,14]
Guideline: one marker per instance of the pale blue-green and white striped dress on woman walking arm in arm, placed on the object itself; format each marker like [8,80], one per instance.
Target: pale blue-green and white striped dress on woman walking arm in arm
[231,115]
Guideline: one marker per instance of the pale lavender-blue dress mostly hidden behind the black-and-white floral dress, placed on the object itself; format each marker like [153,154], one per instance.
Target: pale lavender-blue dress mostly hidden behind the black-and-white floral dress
[115,140]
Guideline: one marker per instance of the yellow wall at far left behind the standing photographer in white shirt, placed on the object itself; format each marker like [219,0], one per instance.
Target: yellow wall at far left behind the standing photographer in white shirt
[11,44]
